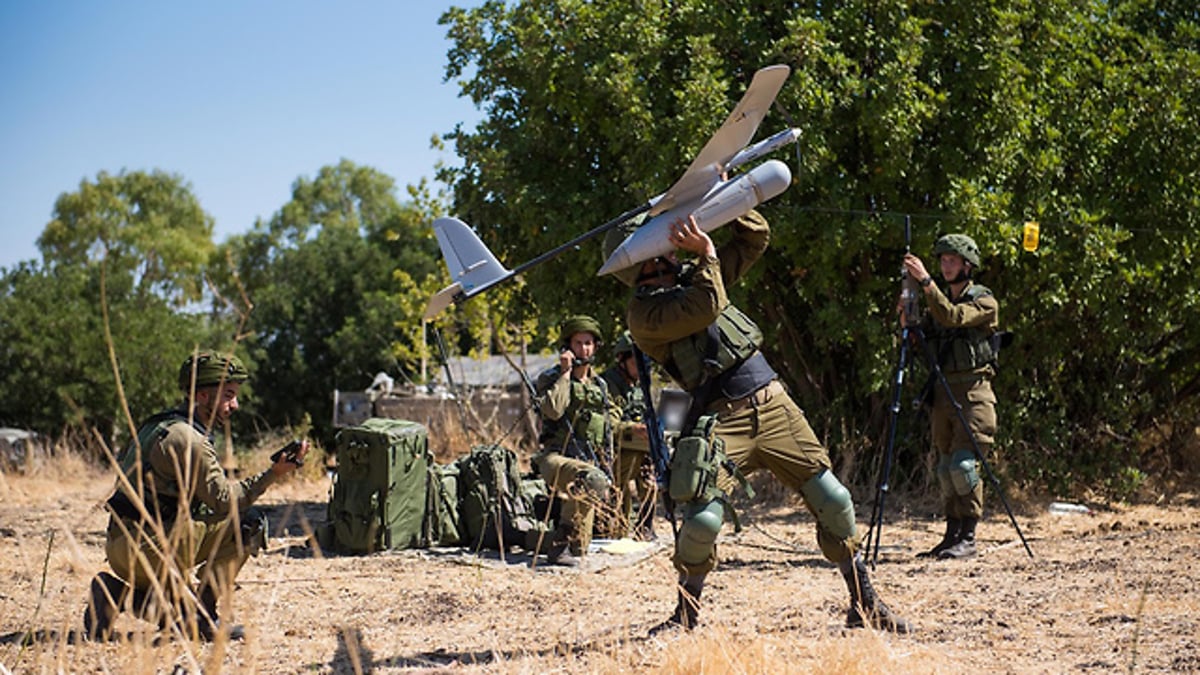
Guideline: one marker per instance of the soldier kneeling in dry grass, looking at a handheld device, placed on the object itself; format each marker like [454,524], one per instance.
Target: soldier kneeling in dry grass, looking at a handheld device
[176,515]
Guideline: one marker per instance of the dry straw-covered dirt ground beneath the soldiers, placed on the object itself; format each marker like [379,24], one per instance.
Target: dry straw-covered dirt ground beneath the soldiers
[1112,592]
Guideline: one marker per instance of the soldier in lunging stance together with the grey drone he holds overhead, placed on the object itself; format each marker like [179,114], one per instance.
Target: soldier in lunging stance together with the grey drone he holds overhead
[742,419]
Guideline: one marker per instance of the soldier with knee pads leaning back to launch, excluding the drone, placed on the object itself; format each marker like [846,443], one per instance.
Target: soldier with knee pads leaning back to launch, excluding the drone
[682,318]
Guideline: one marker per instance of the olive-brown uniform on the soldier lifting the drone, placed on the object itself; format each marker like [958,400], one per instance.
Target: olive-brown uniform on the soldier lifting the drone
[760,425]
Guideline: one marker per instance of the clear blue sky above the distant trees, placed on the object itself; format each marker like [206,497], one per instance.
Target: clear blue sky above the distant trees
[241,99]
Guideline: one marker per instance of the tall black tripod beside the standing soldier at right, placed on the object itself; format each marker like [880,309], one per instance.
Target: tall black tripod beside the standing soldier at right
[910,333]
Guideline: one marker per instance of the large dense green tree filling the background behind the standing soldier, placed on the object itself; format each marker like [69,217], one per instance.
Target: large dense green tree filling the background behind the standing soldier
[968,117]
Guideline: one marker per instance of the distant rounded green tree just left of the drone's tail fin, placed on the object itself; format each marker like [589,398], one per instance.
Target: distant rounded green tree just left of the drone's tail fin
[332,279]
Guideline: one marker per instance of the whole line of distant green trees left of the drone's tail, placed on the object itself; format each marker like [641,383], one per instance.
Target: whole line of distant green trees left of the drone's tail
[323,296]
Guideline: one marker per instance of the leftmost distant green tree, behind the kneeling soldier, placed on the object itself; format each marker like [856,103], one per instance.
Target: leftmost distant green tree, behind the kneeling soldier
[130,246]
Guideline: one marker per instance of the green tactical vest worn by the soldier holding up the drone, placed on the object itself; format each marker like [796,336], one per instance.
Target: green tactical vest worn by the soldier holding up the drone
[710,354]
